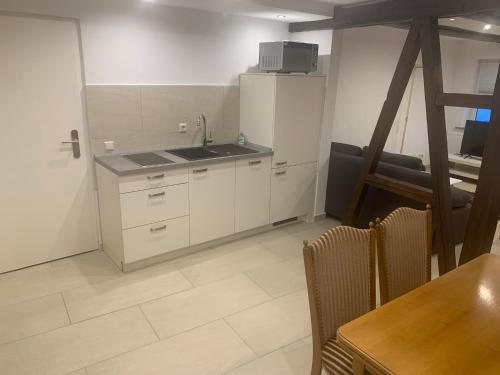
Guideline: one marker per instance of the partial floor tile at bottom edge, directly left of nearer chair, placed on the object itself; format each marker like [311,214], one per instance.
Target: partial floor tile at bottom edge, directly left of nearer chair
[294,359]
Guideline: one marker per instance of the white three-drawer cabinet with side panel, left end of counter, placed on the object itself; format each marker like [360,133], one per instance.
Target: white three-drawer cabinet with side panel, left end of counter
[143,215]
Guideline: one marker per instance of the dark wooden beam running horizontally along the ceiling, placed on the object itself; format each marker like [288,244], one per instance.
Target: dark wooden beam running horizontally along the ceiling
[397,11]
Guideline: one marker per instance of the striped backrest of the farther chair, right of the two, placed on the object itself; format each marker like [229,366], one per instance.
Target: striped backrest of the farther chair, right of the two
[404,248]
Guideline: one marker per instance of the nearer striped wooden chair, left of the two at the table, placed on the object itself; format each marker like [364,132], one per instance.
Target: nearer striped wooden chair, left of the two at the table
[340,273]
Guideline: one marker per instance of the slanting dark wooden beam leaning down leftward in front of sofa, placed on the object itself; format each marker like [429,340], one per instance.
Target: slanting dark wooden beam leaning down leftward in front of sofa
[388,114]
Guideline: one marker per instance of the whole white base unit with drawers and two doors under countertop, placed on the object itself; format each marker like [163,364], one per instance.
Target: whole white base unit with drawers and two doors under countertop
[151,217]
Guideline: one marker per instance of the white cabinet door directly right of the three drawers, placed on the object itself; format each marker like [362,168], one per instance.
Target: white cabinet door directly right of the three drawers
[211,201]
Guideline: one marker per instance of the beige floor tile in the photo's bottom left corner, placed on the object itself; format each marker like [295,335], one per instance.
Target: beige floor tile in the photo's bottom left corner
[74,347]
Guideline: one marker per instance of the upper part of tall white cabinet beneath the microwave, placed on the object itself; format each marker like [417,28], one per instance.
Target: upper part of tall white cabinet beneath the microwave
[283,112]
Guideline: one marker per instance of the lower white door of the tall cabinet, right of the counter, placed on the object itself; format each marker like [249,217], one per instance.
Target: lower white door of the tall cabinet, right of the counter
[292,191]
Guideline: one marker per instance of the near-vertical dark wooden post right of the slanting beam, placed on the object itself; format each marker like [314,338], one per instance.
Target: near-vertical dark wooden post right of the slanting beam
[438,145]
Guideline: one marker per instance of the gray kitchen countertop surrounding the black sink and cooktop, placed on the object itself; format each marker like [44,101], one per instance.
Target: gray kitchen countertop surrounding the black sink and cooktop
[120,166]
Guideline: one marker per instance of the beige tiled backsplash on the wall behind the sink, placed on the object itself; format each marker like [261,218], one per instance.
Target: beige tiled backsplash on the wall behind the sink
[141,118]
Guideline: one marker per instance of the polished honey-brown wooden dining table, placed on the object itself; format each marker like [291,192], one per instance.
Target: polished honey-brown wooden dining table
[450,325]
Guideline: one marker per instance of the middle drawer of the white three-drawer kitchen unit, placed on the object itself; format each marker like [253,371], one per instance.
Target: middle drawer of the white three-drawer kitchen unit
[153,205]
